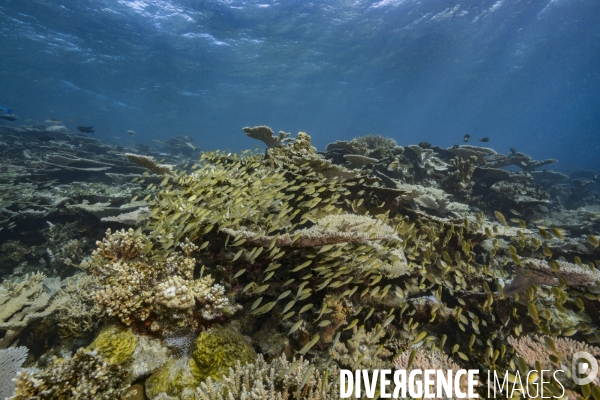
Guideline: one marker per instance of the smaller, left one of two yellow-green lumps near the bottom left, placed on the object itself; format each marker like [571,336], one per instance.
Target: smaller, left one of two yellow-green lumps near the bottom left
[115,343]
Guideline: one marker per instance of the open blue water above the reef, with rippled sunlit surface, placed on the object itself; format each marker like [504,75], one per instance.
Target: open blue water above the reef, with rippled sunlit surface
[523,72]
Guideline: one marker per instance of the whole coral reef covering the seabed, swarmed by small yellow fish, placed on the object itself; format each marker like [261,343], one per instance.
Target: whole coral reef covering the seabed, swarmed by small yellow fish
[424,257]
